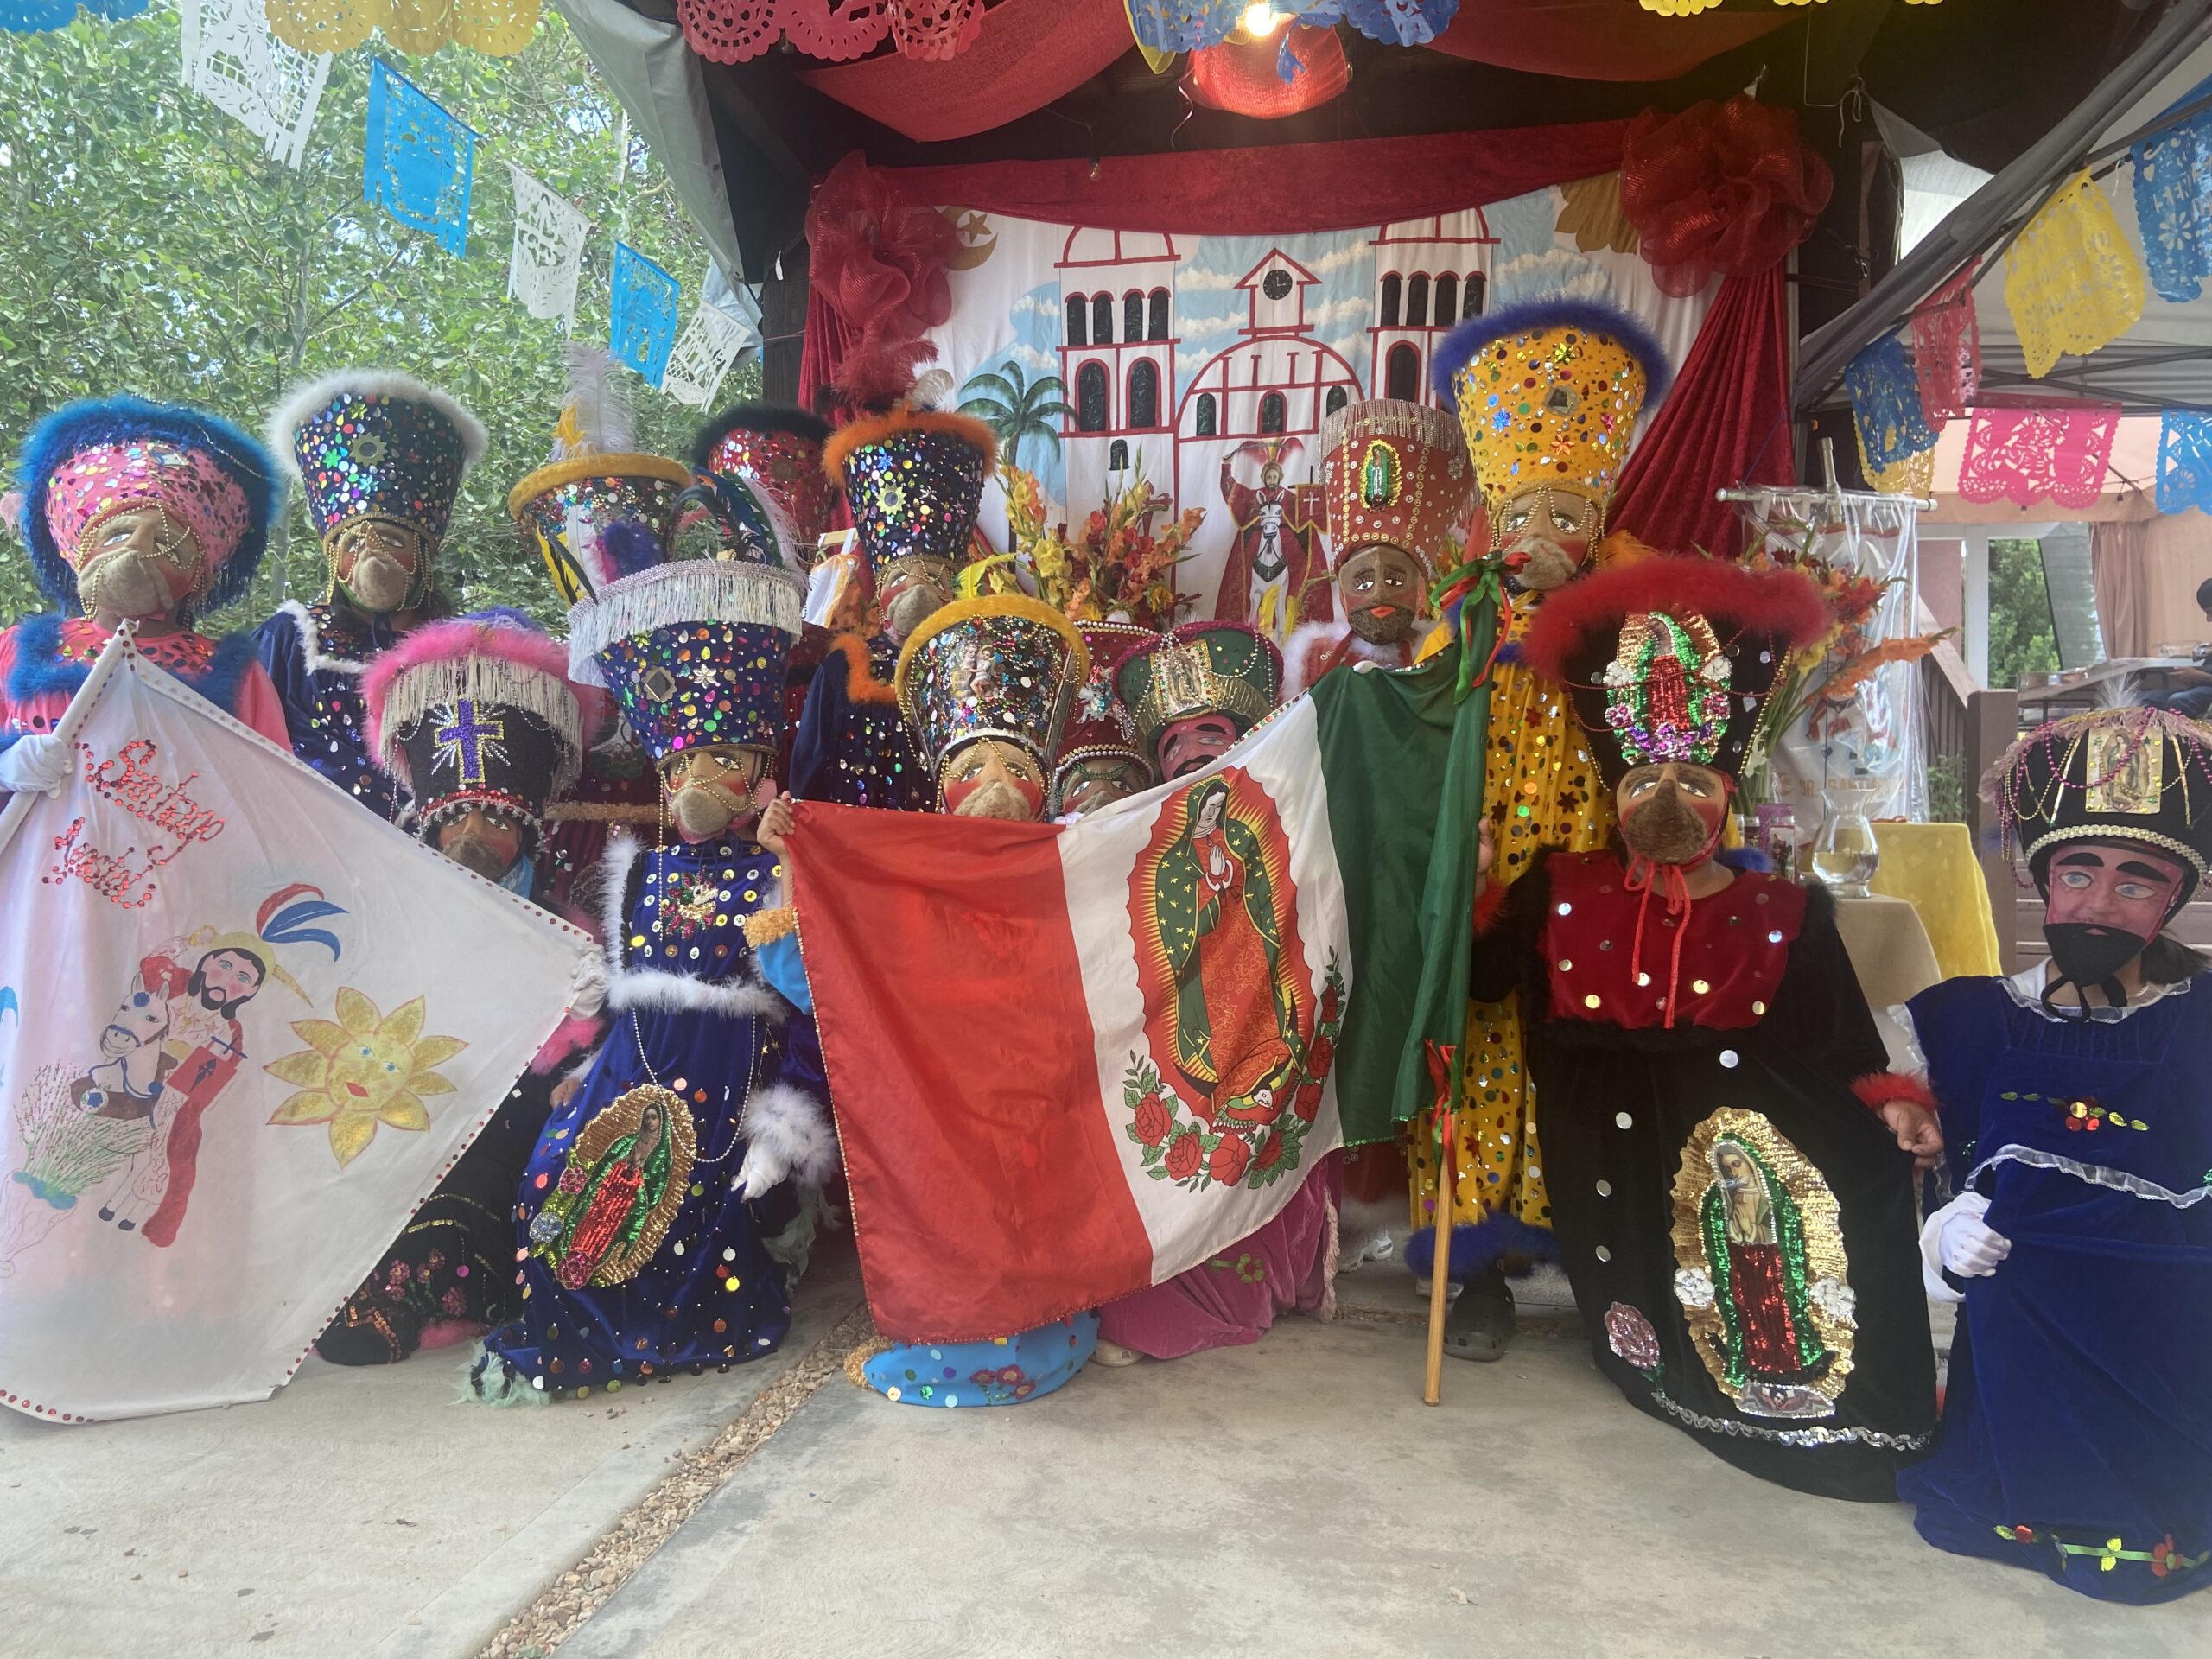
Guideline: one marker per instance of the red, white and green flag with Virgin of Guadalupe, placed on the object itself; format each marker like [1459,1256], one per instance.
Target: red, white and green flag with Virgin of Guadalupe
[1074,1061]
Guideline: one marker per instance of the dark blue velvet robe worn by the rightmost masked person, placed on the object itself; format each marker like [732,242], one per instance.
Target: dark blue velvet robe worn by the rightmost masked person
[2078,1426]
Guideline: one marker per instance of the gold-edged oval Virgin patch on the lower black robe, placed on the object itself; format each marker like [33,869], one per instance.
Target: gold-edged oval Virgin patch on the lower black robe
[1760,1269]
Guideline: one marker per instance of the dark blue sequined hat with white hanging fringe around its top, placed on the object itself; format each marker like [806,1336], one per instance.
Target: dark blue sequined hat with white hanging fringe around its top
[693,651]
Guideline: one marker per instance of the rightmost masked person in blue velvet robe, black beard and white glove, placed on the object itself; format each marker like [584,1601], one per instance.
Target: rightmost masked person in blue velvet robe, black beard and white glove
[2076,1118]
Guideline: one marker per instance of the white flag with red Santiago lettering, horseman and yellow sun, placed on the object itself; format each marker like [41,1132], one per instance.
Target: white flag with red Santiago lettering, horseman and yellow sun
[251,1027]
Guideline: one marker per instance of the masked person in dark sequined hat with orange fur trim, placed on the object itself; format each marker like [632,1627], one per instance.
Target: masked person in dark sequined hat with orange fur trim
[915,486]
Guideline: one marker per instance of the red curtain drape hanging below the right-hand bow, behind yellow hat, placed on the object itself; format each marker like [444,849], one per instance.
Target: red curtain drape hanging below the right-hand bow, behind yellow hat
[1724,424]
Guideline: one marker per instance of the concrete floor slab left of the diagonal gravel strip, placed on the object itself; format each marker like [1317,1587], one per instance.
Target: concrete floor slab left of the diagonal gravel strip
[362,1512]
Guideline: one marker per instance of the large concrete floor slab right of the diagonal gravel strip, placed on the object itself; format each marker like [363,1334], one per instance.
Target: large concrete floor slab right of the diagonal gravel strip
[1297,1499]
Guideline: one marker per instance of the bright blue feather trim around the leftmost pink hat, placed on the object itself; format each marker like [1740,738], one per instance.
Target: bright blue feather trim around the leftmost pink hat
[98,421]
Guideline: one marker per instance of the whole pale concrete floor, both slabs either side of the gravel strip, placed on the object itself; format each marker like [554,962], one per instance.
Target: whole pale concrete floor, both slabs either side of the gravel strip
[1286,1501]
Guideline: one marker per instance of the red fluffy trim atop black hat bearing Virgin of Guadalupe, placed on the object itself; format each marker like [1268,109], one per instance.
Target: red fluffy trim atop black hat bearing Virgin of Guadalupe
[1775,603]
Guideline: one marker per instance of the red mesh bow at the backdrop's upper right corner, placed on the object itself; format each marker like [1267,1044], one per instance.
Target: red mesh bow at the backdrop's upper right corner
[1720,189]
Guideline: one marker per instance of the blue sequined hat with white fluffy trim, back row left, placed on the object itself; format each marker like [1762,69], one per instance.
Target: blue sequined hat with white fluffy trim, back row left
[377,446]
